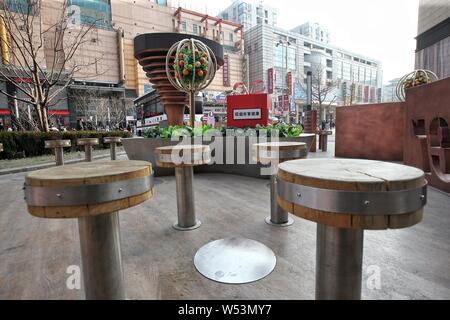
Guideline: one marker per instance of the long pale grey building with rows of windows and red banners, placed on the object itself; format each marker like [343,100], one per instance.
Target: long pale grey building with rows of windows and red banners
[282,59]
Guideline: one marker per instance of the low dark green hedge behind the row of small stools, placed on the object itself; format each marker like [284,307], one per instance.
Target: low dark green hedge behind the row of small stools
[19,144]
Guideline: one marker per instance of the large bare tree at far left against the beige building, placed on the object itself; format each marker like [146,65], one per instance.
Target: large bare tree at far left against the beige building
[44,52]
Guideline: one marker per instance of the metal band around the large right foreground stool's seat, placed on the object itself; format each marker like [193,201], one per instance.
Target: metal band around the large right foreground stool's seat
[354,202]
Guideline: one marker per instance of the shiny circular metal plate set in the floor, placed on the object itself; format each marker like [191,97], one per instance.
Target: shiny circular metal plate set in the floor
[235,260]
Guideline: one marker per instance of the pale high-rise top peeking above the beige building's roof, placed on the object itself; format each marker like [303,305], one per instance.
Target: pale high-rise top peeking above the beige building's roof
[250,13]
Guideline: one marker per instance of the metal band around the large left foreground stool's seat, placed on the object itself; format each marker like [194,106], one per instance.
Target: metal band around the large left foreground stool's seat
[87,194]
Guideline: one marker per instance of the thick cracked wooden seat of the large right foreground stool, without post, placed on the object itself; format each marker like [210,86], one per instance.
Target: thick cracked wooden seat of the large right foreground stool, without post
[349,193]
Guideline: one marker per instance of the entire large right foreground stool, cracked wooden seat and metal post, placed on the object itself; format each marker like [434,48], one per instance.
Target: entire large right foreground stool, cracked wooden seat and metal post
[345,197]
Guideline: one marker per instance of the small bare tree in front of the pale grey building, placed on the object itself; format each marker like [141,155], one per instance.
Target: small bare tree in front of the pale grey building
[323,89]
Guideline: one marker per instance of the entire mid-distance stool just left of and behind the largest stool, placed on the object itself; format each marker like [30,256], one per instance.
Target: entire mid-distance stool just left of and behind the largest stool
[274,153]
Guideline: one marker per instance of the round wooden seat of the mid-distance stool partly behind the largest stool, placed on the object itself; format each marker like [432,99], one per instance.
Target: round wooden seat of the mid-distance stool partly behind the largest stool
[278,151]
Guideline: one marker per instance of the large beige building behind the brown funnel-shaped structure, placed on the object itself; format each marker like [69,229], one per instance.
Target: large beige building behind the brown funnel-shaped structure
[108,53]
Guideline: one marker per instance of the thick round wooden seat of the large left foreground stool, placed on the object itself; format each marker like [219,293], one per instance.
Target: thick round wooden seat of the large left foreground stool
[89,188]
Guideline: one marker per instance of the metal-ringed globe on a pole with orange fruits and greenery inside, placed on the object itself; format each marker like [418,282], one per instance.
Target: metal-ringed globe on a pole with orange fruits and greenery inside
[192,70]
